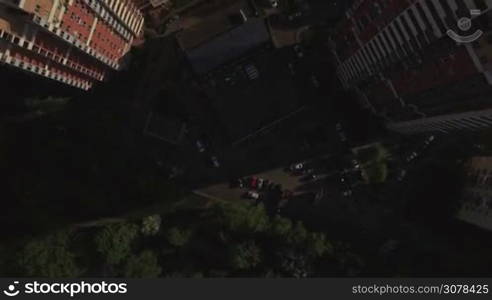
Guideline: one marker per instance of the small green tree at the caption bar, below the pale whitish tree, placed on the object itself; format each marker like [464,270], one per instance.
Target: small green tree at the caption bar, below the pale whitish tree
[143,265]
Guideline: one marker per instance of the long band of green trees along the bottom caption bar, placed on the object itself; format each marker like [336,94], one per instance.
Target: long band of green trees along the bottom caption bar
[229,239]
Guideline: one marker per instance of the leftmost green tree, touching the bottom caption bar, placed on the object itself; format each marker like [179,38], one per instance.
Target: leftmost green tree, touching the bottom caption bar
[48,257]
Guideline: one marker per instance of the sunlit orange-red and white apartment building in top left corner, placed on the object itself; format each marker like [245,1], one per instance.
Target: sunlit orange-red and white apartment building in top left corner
[75,42]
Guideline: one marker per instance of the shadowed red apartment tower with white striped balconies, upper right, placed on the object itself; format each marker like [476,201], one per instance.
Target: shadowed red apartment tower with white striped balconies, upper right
[398,56]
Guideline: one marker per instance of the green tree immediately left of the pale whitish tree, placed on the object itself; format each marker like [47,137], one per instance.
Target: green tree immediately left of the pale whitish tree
[115,240]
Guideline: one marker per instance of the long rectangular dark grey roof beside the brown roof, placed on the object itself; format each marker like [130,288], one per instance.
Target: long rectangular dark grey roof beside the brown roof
[228,46]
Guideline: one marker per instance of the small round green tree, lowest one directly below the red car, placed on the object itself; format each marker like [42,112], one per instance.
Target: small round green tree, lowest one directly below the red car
[246,255]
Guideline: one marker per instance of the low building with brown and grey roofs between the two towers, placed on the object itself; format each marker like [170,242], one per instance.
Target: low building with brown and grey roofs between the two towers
[224,34]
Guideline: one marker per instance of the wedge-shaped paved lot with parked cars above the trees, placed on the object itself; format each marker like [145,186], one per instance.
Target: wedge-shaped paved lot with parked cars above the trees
[306,181]
